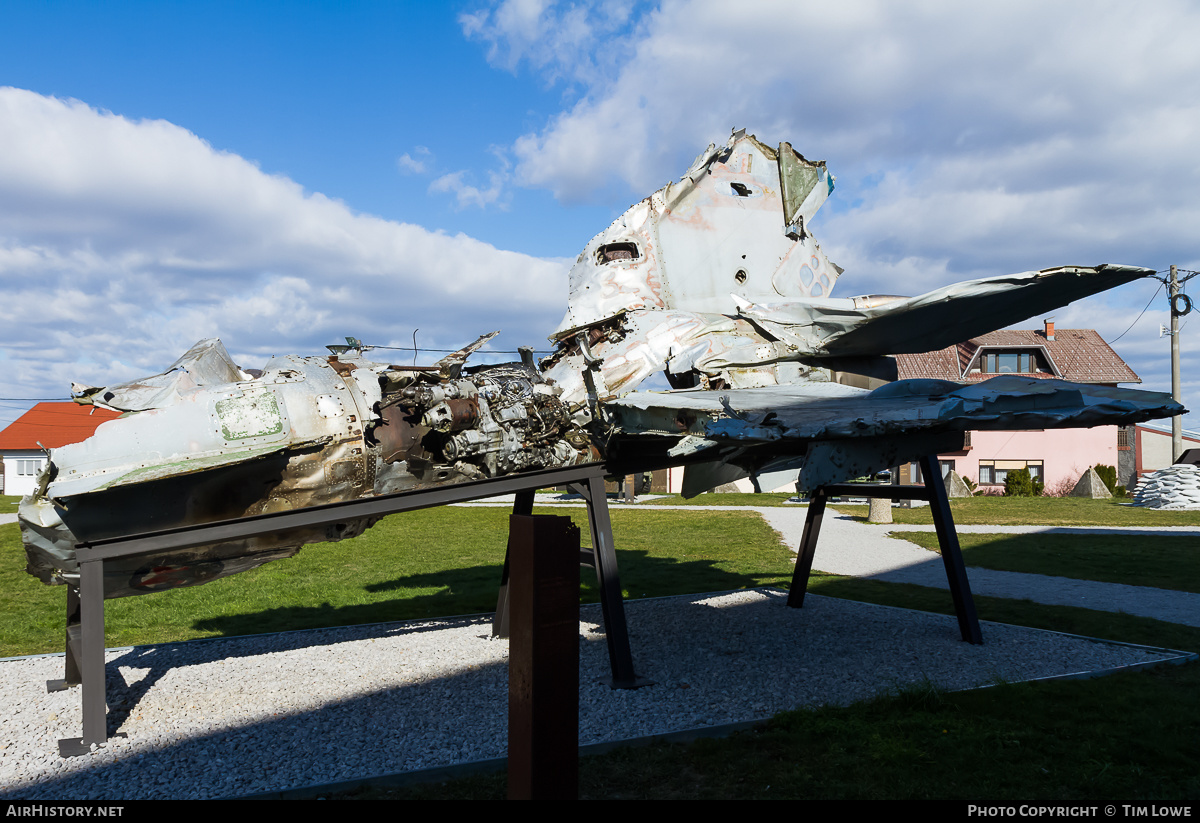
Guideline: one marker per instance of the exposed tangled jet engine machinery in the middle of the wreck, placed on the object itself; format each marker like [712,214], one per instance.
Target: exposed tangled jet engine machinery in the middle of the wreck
[493,422]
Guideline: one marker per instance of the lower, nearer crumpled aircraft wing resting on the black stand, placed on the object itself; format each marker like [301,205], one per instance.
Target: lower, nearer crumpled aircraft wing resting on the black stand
[835,432]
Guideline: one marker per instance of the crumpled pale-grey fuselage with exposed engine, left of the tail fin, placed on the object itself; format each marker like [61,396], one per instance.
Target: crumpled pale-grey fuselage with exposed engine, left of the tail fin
[304,432]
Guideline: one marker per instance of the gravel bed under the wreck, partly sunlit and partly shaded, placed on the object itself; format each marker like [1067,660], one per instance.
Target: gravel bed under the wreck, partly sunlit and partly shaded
[236,717]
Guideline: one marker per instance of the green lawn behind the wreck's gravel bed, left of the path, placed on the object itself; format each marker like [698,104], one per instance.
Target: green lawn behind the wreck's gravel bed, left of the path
[437,562]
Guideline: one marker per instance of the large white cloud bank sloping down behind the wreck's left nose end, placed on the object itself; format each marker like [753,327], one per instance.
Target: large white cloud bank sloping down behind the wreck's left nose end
[123,243]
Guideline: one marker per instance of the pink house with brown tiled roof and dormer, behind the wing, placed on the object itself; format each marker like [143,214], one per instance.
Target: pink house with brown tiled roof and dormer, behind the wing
[1055,456]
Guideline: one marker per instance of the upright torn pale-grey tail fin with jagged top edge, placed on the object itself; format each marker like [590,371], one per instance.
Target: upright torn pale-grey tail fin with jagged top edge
[729,227]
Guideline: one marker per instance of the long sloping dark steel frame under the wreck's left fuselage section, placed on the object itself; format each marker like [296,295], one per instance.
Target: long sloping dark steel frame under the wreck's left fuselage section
[85,663]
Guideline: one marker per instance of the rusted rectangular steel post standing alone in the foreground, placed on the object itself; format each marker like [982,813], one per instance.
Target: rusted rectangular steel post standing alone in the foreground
[544,658]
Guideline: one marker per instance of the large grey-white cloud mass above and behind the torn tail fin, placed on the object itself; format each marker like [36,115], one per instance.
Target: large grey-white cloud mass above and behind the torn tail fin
[968,139]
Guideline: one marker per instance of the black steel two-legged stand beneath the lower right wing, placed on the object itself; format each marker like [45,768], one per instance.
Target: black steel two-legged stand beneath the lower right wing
[944,522]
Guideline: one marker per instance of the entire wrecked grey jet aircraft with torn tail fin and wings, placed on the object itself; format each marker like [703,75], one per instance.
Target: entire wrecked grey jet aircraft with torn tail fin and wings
[715,281]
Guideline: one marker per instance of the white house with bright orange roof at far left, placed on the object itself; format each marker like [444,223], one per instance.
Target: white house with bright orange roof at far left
[50,425]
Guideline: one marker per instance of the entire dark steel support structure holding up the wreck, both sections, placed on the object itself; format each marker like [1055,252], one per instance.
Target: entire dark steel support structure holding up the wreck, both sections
[85,660]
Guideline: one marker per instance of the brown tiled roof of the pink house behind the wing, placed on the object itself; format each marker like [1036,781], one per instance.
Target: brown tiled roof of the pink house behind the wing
[1081,355]
